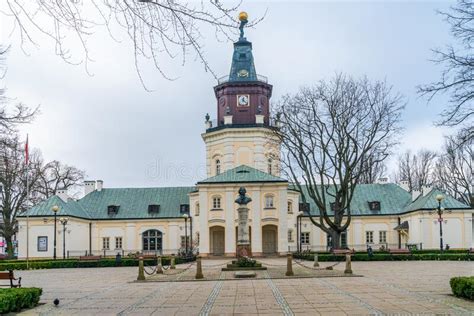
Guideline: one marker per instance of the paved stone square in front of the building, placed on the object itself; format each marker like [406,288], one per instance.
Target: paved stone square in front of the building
[405,287]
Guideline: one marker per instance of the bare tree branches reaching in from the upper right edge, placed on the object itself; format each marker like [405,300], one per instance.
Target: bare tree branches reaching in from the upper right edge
[457,78]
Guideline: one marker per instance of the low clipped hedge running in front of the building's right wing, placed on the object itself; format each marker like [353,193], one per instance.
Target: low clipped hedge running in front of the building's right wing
[388,257]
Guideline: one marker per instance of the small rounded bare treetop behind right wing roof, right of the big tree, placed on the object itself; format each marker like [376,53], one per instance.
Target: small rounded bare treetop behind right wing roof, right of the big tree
[417,169]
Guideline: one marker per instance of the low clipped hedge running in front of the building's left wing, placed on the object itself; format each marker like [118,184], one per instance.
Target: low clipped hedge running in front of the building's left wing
[75,263]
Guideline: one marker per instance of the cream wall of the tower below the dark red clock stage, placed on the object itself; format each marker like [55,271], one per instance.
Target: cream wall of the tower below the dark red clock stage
[241,146]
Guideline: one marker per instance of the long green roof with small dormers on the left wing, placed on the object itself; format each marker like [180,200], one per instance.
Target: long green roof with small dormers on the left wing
[132,202]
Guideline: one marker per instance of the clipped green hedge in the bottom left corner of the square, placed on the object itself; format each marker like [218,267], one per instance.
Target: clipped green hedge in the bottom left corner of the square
[14,300]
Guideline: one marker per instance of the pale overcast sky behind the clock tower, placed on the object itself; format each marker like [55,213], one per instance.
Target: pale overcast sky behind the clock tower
[108,125]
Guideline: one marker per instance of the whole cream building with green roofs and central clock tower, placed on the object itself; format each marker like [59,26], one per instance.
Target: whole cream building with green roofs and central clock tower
[240,151]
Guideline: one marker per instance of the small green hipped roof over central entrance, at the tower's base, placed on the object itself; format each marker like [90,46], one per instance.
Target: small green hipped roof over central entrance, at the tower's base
[242,174]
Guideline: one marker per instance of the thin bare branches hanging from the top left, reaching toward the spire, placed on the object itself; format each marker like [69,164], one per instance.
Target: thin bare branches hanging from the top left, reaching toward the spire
[155,28]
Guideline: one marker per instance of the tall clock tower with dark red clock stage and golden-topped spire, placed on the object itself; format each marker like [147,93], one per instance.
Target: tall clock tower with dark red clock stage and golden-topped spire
[242,133]
